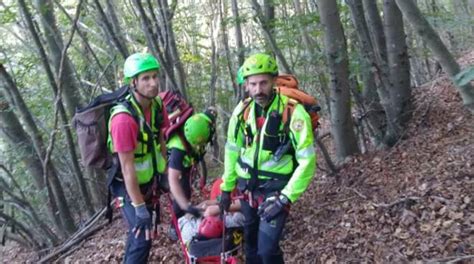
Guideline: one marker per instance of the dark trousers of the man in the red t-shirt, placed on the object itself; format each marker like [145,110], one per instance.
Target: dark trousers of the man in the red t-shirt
[137,250]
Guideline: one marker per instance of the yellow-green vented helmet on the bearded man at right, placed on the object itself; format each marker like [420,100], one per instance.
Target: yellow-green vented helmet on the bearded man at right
[259,63]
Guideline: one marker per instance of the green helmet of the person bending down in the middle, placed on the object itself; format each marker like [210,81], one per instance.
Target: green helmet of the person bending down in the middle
[198,129]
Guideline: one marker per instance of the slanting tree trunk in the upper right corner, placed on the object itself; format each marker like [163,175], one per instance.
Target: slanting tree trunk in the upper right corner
[431,38]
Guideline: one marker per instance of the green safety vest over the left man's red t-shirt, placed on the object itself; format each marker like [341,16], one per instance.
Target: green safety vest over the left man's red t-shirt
[148,145]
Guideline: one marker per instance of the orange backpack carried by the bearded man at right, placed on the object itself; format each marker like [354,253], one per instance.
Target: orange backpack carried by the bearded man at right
[287,85]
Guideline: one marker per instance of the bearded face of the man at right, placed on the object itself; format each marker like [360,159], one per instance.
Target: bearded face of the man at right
[260,88]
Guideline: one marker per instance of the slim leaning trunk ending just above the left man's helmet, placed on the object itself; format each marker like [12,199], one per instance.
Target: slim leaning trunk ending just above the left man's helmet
[114,37]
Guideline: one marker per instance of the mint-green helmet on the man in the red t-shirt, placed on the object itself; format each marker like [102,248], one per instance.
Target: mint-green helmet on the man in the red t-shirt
[138,63]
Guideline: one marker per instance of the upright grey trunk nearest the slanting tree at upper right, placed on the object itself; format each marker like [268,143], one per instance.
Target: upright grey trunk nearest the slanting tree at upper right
[399,68]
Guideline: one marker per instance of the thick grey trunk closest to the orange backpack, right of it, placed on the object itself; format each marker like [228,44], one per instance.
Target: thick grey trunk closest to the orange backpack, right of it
[342,126]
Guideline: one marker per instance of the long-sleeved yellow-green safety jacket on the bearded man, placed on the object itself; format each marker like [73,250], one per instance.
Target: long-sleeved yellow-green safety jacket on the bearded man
[296,167]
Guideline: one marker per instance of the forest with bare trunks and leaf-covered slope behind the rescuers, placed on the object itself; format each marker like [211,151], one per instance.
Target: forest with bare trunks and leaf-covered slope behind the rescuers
[393,79]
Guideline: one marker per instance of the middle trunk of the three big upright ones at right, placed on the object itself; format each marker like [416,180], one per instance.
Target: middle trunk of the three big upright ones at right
[371,101]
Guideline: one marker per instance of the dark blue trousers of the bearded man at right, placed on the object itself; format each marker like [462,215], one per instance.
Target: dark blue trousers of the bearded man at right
[262,238]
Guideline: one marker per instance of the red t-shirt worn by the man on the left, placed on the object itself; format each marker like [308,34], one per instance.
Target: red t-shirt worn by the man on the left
[124,130]
